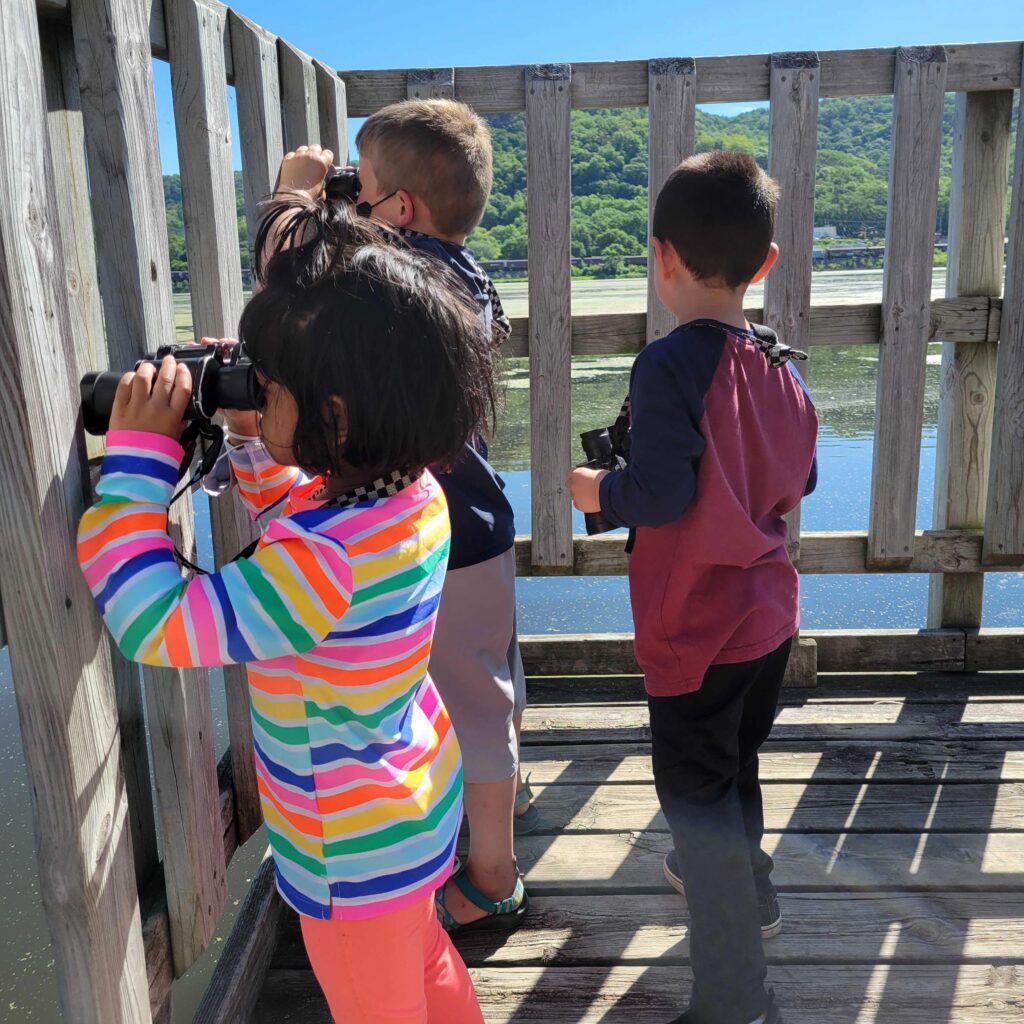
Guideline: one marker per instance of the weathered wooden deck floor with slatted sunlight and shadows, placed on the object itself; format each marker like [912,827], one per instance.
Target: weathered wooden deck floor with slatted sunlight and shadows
[897,819]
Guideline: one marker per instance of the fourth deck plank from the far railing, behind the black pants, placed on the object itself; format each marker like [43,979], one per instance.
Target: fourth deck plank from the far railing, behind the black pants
[804,807]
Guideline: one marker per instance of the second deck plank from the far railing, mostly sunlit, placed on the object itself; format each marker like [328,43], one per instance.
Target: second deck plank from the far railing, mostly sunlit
[883,720]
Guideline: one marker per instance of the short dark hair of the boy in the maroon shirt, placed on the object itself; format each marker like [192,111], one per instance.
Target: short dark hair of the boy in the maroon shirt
[717,210]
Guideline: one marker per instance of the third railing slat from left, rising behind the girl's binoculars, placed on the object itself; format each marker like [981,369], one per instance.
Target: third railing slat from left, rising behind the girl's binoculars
[196,41]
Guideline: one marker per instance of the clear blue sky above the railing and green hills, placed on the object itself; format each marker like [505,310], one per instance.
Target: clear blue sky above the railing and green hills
[445,33]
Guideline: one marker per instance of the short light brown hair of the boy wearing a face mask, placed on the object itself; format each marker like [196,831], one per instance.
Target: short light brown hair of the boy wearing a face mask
[437,149]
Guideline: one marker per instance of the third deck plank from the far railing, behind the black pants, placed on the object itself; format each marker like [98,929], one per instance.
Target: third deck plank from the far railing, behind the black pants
[788,761]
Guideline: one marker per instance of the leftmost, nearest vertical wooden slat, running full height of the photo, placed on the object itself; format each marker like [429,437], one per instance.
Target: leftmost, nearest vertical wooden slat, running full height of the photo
[60,658]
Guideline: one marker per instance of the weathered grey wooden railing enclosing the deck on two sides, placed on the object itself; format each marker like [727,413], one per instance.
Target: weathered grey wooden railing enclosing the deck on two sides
[80,162]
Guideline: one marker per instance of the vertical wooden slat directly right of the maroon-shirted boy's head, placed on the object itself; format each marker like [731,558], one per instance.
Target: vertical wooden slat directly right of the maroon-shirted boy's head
[793,137]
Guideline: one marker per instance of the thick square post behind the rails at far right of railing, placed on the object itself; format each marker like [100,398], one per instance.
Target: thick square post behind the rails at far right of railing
[977,220]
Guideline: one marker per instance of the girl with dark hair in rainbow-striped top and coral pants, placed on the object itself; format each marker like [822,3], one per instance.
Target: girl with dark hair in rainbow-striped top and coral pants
[372,369]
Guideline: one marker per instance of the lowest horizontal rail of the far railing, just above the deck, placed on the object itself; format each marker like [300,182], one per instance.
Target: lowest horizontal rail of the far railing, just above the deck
[839,651]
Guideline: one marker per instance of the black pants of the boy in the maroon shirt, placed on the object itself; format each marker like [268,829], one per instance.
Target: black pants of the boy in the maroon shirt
[706,772]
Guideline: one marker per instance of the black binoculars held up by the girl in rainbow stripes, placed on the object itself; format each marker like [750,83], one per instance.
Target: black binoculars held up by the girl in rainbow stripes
[223,378]
